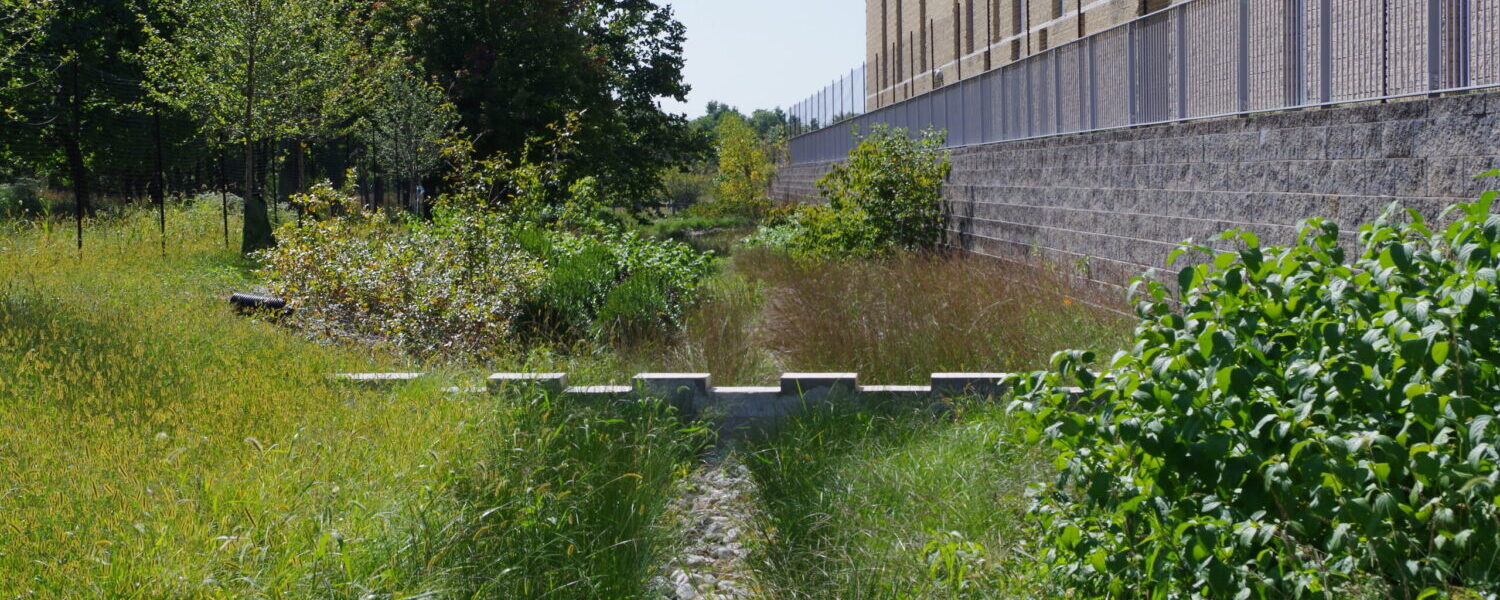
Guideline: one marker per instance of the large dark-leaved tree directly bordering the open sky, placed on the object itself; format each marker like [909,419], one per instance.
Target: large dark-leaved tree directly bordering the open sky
[514,68]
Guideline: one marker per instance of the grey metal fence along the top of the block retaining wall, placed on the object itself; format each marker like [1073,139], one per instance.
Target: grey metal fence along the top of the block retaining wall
[1205,59]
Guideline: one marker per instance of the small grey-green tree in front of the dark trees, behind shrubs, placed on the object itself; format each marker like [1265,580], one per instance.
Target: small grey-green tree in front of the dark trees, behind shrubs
[407,127]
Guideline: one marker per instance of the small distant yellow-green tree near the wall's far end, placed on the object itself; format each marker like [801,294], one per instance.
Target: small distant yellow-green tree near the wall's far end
[743,169]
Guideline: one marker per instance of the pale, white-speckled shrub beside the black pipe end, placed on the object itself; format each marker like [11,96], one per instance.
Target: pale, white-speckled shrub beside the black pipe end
[427,289]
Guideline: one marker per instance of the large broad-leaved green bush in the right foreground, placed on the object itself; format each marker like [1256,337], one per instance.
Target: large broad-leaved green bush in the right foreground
[1295,425]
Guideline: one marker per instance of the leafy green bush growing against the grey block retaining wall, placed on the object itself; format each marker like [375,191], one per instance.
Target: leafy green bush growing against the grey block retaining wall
[886,197]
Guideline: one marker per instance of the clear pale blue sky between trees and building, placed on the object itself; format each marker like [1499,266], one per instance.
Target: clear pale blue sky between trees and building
[766,53]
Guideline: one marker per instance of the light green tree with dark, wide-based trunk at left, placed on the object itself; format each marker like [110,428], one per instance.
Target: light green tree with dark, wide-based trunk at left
[250,70]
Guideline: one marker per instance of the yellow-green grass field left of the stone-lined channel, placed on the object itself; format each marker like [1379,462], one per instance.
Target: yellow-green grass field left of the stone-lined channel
[154,445]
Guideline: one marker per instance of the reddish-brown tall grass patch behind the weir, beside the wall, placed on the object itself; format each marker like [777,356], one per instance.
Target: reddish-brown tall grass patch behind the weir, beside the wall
[904,319]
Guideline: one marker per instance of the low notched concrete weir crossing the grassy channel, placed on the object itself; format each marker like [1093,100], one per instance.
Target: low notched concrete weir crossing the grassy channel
[733,407]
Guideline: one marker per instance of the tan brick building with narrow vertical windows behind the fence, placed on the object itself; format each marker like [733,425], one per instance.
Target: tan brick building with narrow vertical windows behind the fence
[914,46]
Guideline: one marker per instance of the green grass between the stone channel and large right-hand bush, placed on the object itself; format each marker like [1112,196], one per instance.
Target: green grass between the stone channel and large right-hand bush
[898,505]
